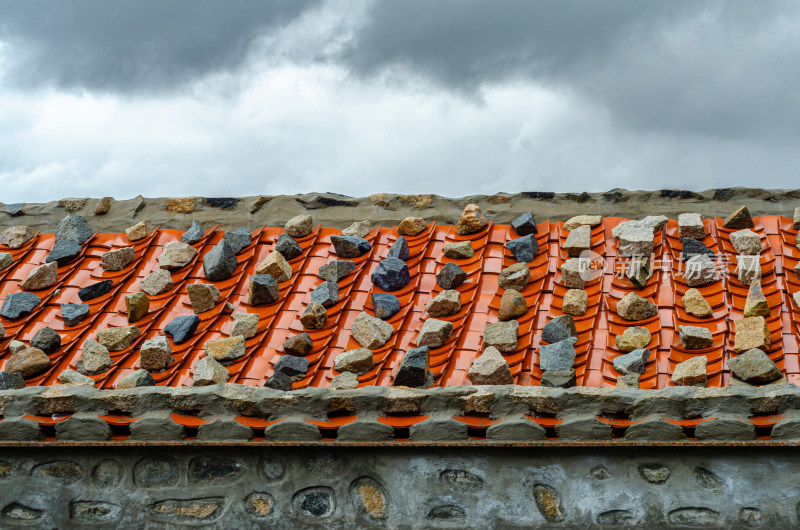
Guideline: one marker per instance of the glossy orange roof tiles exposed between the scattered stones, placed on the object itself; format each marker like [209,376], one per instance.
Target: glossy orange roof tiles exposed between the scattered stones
[480,296]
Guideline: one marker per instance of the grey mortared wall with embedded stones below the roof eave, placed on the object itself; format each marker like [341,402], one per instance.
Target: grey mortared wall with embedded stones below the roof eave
[305,487]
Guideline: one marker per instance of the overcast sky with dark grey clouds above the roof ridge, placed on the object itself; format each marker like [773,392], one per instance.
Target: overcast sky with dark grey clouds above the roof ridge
[455,97]
